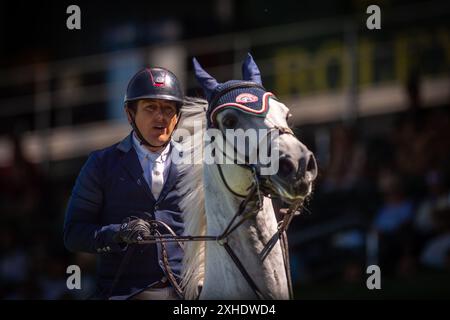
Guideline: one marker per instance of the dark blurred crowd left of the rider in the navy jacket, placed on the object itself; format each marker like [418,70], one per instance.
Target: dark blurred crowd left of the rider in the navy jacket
[33,260]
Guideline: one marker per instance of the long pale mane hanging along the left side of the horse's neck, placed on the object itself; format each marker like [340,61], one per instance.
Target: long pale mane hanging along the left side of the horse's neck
[192,204]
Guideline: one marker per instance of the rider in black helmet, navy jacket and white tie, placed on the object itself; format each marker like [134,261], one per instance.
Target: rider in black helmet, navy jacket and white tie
[123,186]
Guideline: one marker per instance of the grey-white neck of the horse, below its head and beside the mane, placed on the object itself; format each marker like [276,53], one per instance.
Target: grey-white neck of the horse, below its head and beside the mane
[222,278]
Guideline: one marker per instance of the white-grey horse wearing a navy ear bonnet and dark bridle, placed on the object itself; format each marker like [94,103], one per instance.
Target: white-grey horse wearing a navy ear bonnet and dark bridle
[239,248]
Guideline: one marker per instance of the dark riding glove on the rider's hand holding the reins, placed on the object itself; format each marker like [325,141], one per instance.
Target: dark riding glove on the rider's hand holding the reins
[133,230]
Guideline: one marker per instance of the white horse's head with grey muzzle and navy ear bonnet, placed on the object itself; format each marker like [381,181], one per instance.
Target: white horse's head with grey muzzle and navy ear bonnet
[244,105]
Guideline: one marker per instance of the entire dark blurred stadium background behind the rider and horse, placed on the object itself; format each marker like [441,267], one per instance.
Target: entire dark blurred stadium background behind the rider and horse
[372,104]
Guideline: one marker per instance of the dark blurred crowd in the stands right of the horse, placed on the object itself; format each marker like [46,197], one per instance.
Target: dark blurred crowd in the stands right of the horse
[385,198]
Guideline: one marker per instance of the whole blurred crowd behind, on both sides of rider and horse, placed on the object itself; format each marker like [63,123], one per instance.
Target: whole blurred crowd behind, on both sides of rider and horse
[394,183]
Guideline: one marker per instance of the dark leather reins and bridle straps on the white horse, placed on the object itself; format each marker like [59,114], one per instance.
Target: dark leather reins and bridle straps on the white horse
[255,195]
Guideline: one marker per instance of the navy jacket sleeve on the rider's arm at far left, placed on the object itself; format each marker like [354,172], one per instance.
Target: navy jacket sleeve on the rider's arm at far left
[82,228]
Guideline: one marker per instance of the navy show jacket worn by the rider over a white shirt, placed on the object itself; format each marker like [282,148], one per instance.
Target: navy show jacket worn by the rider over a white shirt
[109,188]
